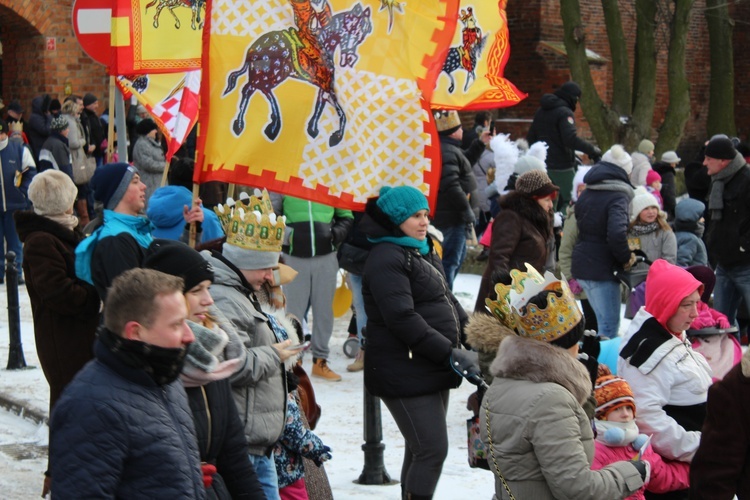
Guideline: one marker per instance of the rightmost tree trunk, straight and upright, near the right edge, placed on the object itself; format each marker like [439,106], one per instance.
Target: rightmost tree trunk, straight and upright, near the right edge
[721,101]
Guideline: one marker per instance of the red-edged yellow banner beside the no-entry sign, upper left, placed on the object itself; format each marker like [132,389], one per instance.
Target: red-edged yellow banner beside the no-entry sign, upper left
[156,36]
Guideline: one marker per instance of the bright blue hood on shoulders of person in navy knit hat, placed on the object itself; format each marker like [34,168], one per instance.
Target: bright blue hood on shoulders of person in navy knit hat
[113,224]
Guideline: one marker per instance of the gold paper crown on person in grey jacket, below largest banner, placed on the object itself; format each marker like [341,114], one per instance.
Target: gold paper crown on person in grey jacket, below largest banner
[251,223]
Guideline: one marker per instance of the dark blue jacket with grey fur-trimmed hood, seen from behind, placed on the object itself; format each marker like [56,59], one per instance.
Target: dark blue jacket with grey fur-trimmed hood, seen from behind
[603,214]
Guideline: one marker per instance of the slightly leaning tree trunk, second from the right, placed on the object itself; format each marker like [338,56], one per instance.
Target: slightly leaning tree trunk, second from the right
[678,109]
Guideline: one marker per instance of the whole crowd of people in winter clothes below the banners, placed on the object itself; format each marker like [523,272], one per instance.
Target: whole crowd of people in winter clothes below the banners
[177,371]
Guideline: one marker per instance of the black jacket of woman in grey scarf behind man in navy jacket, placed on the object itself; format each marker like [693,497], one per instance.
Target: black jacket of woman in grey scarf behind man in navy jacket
[221,442]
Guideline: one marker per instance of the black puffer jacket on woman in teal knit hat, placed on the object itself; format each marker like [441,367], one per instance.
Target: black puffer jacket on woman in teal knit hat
[413,319]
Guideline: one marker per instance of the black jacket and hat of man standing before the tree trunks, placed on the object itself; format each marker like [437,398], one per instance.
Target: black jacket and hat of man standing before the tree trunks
[554,123]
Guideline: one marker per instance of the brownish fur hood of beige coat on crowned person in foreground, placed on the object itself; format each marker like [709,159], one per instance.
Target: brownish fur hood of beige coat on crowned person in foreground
[525,359]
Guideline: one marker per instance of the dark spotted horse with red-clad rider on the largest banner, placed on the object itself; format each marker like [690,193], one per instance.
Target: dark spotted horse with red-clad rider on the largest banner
[305,52]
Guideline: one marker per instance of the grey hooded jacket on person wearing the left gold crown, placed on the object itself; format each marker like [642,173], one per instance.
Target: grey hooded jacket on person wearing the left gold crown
[259,386]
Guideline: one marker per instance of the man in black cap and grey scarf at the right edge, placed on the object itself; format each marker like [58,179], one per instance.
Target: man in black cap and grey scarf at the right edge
[728,225]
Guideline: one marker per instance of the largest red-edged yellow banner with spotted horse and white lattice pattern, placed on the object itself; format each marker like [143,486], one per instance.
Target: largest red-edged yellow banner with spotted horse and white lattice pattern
[327,100]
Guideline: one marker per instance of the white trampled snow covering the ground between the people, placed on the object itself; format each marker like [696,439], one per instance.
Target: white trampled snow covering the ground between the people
[340,425]
